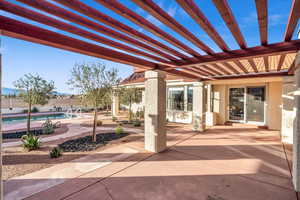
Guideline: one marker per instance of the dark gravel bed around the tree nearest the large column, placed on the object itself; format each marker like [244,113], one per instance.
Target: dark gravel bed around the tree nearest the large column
[86,143]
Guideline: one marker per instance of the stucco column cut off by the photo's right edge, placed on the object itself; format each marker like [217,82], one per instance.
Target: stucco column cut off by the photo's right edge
[296,135]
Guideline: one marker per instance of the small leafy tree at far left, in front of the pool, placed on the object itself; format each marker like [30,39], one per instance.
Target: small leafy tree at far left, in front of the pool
[36,90]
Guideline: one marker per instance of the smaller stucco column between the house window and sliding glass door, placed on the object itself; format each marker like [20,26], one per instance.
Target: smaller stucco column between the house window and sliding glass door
[198,107]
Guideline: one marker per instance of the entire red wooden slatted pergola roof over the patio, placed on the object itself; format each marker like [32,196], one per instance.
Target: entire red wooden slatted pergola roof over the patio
[125,44]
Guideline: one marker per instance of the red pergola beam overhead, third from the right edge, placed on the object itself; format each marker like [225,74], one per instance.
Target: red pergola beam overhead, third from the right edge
[230,21]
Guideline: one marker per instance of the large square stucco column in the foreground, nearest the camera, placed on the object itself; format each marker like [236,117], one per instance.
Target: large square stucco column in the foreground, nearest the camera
[155,111]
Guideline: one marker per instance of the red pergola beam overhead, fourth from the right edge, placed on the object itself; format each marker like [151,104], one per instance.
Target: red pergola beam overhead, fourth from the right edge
[193,10]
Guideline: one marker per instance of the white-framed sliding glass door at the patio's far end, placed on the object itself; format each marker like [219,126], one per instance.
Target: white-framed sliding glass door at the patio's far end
[247,104]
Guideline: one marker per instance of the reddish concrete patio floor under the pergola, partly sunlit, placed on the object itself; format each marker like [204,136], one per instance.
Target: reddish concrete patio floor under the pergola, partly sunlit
[224,163]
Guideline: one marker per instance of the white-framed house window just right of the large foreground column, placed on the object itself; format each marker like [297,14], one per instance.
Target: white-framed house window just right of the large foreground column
[176,98]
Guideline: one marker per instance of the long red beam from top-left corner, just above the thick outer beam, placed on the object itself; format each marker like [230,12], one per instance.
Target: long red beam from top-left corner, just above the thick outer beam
[35,16]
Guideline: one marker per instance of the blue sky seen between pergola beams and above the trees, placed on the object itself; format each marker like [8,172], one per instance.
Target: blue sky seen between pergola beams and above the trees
[21,57]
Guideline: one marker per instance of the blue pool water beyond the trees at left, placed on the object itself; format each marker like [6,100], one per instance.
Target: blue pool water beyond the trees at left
[13,120]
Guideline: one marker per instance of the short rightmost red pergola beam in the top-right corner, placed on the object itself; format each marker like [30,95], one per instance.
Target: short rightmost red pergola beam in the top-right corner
[292,21]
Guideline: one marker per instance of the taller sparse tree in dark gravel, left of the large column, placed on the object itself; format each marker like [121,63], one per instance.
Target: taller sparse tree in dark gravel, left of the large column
[94,83]
